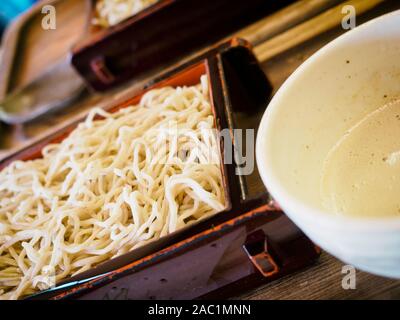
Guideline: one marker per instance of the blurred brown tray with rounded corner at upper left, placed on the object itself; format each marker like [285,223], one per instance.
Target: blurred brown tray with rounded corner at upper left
[35,72]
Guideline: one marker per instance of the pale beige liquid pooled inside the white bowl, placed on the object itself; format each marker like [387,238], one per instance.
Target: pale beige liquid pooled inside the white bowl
[361,174]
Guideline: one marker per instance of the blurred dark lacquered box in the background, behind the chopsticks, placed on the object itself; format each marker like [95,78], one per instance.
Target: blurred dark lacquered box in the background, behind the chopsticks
[160,35]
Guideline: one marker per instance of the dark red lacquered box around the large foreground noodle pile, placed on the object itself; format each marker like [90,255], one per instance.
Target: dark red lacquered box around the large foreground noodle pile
[249,243]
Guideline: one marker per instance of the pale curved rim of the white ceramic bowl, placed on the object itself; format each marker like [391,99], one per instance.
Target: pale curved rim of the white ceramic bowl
[293,207]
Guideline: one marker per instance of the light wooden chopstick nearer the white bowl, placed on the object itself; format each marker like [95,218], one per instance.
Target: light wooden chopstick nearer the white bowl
[309,29]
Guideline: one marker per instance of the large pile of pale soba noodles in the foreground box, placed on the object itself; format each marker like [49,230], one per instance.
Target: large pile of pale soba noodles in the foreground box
[116,183]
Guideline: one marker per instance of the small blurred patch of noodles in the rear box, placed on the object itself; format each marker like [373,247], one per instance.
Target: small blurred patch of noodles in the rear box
[111,12]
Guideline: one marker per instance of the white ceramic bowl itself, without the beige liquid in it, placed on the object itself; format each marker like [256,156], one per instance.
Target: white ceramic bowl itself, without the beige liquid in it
[329,93]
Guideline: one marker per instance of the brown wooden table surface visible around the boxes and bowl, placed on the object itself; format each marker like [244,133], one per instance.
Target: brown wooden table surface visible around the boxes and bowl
[323,280]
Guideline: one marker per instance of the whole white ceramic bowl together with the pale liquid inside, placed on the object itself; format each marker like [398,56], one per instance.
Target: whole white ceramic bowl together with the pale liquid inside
[328,147]
